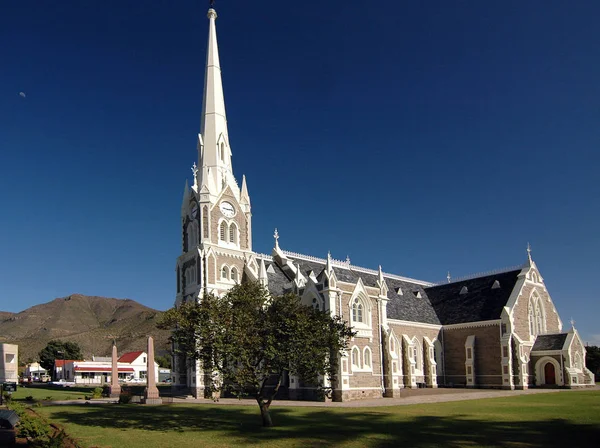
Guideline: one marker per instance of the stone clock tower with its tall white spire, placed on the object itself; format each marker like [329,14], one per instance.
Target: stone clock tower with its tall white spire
[216,226]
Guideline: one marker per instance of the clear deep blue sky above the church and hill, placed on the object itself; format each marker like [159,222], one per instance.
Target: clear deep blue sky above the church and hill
[422,136]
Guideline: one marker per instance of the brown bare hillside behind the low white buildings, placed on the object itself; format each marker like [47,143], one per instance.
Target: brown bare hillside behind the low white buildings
[90,321]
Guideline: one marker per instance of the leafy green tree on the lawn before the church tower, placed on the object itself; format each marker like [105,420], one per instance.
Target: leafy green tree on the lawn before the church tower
[248,339]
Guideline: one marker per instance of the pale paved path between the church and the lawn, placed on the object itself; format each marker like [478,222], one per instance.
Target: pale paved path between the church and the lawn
[415,397]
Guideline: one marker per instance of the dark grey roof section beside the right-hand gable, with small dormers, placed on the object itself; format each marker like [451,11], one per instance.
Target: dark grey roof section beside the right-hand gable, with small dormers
[480,303]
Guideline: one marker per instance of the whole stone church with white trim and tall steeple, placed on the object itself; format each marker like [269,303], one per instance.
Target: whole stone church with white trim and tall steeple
[498,330]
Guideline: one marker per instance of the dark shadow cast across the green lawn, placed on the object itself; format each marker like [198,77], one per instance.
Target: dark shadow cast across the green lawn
[324,427]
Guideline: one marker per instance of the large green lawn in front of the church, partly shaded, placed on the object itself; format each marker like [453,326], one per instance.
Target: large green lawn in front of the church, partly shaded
[542,420]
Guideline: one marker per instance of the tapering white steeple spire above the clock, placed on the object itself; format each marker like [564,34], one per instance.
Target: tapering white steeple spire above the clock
[214,153]
